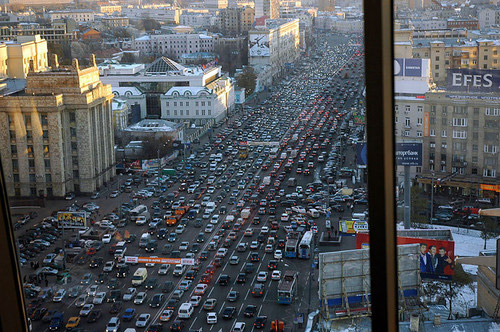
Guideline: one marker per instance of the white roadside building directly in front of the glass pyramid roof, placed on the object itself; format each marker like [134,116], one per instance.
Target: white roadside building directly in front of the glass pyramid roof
[199,105]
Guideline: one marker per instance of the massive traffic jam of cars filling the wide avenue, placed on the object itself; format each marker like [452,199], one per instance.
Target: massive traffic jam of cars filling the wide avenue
[222,240]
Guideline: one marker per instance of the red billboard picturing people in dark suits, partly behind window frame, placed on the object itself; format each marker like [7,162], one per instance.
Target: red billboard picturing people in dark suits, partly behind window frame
[436,256]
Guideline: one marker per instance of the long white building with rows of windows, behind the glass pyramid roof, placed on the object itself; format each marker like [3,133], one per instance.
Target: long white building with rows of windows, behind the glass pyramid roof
[174,44]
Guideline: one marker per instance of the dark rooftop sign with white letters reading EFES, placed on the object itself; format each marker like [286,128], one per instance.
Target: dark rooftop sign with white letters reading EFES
[473,80]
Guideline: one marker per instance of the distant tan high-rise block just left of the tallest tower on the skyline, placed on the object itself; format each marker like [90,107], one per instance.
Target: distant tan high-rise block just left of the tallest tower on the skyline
[233,21]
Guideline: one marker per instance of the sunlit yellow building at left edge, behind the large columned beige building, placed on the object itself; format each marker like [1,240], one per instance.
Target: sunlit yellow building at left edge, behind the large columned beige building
[15,57]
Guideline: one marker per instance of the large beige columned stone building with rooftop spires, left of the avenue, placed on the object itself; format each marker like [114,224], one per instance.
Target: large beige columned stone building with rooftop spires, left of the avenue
[56,136]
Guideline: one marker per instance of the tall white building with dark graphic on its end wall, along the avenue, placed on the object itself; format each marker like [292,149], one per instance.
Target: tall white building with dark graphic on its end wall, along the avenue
[272,48]
